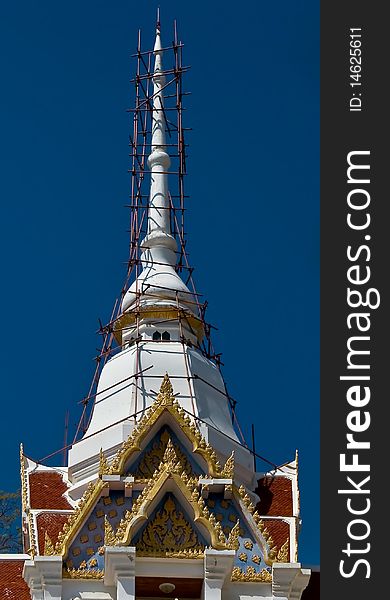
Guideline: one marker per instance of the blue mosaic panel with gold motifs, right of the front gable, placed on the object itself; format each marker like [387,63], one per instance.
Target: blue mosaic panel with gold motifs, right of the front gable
[227,513]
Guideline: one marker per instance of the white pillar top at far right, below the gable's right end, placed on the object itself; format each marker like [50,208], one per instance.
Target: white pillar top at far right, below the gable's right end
[289,580]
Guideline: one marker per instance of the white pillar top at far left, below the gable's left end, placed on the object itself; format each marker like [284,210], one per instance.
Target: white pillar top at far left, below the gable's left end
[44,577]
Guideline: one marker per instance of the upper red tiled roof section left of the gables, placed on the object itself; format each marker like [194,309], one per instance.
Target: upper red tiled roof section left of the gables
[47,489]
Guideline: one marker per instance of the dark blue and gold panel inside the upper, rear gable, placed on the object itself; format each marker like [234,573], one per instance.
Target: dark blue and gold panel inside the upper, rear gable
[154,455]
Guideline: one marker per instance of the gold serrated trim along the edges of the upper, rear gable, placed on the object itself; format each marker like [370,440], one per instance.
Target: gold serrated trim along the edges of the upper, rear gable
[166,402]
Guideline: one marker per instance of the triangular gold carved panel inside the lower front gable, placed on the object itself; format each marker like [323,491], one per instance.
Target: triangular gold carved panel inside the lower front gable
[169,532]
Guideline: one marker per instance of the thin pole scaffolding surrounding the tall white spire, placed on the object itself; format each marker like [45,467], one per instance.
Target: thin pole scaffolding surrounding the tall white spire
[140,148]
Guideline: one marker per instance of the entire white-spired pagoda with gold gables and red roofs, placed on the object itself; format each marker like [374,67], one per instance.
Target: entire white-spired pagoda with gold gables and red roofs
[160,497]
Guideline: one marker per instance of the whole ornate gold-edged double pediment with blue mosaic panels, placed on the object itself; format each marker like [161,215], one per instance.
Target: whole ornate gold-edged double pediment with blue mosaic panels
[162,504]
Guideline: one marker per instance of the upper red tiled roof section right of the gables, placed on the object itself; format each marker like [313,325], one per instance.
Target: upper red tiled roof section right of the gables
[275,495]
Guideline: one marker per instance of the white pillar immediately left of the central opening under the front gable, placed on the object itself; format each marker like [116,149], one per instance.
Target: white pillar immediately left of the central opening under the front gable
[119,571]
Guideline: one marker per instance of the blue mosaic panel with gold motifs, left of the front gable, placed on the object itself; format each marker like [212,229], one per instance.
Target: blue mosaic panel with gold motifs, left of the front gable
[87,550]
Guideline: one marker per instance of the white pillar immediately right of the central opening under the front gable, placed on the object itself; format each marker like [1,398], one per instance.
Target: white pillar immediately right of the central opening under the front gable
[218,565]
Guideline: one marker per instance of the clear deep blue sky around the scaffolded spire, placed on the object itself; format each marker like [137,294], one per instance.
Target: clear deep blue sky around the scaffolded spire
[253,218]
